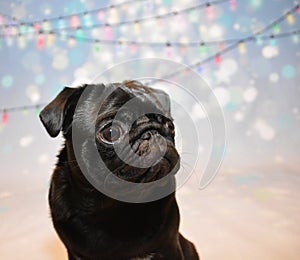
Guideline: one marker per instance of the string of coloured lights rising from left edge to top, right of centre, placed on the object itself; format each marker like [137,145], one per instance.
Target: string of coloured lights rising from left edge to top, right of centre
[75,22]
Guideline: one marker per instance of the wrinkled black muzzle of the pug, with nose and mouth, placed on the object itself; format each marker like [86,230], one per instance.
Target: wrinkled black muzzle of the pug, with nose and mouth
[156,157]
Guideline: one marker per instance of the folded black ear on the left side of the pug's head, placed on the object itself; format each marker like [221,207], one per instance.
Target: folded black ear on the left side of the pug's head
[52,116]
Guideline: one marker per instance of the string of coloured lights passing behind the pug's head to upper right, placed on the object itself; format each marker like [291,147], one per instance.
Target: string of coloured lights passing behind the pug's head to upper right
[216,57]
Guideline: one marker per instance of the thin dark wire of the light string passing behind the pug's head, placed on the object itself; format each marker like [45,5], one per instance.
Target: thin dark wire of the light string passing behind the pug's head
[194,65]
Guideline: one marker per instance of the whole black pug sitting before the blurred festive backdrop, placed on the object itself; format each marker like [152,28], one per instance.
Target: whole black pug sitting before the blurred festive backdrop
[91,224]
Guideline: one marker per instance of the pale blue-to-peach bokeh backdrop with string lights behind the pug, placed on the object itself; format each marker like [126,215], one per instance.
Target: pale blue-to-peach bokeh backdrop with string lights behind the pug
[247,51]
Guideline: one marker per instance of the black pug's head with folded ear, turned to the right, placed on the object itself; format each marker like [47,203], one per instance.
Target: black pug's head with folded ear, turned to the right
[133,130]
